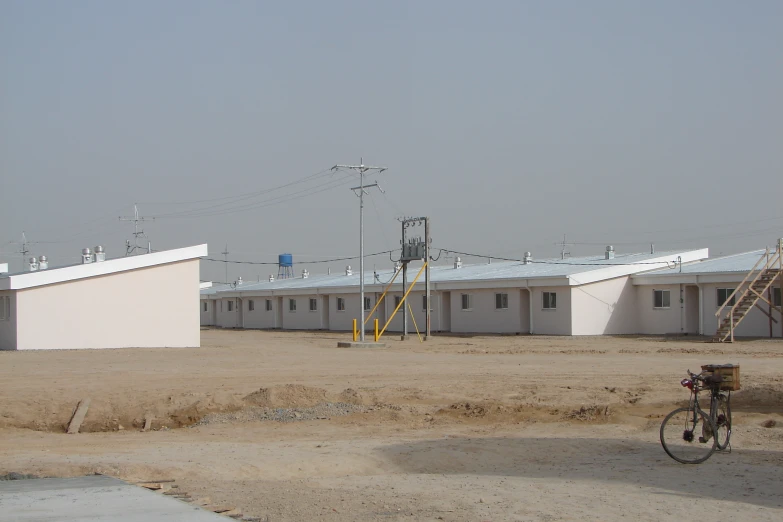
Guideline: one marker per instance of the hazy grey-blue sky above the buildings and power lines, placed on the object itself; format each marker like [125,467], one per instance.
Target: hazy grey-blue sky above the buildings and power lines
[509,123]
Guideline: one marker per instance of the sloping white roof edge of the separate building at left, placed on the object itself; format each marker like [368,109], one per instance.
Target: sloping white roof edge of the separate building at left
[51,276]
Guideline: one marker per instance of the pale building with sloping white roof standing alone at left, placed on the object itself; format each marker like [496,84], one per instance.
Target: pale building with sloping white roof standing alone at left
[140,301]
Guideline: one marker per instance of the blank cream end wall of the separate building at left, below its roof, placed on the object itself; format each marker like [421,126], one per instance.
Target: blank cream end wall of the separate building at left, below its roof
[147,307]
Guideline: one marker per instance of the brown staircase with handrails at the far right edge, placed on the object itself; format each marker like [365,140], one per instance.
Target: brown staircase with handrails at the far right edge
[767,271]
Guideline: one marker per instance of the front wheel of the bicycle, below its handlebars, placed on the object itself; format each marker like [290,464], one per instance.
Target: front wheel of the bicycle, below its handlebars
[687,436]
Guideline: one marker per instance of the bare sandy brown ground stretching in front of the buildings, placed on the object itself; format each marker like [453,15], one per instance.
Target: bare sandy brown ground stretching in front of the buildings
[459,428]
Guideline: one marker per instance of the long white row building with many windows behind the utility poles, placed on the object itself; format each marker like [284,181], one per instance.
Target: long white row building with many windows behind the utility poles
[575,296]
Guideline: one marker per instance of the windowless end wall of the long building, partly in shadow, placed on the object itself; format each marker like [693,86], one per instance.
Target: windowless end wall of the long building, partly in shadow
[604,308]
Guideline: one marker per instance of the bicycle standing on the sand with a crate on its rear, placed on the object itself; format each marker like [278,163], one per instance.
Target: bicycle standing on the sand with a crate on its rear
[680,428]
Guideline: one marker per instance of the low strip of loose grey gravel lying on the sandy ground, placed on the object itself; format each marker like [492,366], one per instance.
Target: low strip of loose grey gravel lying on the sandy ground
[321,411]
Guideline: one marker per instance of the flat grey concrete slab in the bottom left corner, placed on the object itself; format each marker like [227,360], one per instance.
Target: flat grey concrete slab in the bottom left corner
[90,499]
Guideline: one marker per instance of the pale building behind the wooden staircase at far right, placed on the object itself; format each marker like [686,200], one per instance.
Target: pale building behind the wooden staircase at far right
[684,299]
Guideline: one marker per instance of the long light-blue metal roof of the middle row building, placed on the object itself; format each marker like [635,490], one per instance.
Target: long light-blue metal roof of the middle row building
[507,270]
